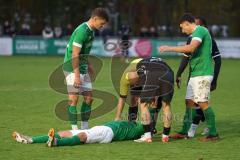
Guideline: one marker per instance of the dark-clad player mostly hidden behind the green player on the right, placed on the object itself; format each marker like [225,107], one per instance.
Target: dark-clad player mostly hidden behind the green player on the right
[216,56]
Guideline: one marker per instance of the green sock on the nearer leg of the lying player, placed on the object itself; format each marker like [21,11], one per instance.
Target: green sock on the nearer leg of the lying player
[69,141]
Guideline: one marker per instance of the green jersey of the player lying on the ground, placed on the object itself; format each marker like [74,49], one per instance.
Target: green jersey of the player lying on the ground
[125,130]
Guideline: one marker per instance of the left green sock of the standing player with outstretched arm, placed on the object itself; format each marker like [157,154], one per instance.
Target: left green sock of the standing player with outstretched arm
[188,117]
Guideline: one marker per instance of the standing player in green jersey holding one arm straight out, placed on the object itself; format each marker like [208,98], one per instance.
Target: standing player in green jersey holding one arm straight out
[201,72]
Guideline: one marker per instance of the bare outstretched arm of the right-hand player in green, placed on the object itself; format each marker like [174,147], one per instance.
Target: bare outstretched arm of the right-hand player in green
[186,49]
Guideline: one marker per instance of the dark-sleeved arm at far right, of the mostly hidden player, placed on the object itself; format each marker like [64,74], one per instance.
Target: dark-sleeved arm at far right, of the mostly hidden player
[217,64]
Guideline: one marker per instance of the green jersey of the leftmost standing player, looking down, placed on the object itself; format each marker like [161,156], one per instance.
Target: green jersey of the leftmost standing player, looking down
[81,37]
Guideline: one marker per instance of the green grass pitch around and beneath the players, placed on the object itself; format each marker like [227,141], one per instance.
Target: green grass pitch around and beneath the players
[27,105]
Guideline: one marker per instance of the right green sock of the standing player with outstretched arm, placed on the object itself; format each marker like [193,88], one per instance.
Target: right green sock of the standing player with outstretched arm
[210,119]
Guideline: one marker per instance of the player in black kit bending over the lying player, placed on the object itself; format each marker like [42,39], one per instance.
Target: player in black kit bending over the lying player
[156,80]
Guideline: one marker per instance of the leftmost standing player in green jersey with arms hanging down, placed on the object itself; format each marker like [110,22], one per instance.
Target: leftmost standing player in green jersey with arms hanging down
[76,66]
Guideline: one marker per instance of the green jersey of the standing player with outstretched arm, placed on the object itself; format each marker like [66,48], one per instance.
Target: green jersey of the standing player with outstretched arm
[201,59]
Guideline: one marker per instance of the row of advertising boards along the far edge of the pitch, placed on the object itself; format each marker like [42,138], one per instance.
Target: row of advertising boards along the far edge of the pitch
[137,47]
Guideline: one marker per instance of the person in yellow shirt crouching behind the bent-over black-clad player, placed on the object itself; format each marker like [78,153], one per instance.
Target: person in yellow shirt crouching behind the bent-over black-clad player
[126,83]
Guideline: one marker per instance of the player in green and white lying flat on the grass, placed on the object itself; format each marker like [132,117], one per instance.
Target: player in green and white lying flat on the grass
[106,133]
